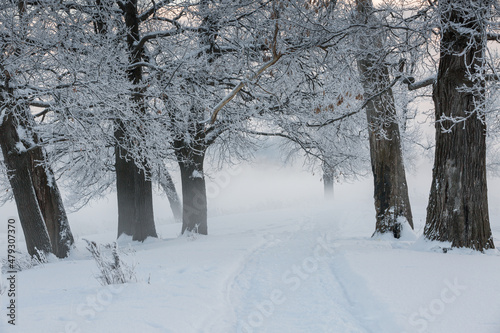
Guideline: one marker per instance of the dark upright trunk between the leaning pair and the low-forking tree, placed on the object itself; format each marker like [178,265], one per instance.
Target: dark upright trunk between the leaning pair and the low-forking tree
[133,184]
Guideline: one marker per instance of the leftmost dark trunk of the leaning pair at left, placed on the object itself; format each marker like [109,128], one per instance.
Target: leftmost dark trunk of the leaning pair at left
[19,169]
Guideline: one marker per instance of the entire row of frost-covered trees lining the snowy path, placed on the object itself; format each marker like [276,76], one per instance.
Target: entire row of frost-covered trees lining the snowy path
[109,92]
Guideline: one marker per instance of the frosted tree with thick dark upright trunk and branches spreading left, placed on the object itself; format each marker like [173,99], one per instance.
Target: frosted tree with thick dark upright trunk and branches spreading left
[101,116]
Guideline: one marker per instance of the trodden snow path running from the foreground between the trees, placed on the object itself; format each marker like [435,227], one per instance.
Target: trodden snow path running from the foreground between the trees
[291,284]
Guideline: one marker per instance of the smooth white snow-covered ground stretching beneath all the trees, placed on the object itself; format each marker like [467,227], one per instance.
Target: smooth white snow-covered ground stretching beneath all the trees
[277,259]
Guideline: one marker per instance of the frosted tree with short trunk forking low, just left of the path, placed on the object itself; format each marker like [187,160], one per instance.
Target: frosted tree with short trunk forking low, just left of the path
[222,33]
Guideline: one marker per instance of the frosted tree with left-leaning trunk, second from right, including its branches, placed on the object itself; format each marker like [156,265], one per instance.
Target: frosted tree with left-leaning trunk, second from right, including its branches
[318,107]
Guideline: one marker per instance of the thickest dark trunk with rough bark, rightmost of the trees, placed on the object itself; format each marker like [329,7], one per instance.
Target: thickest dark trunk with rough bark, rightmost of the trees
[458,202]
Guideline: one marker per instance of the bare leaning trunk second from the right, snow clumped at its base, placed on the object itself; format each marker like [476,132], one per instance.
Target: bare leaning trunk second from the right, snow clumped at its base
[392,203]
